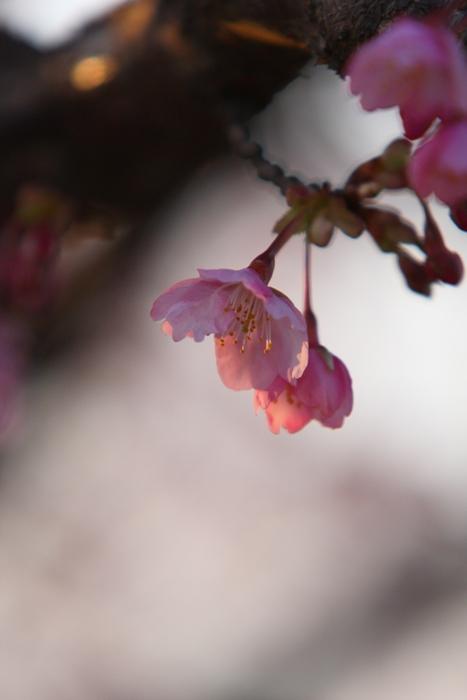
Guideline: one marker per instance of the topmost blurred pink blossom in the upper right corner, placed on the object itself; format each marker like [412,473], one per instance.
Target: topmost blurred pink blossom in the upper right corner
[416,67]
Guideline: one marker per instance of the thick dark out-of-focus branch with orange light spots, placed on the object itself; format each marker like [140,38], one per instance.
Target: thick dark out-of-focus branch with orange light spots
[122,114]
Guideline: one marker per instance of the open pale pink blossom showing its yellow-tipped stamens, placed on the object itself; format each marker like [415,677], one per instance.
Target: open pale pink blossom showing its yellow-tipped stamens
[260,335]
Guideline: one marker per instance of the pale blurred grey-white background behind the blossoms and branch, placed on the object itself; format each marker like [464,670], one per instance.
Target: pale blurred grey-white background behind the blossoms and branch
[156,541]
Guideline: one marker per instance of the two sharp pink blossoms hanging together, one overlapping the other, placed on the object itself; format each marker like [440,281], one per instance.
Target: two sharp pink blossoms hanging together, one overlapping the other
[262,342]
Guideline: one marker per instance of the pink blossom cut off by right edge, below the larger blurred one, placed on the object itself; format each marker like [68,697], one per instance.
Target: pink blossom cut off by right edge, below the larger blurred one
[440,164]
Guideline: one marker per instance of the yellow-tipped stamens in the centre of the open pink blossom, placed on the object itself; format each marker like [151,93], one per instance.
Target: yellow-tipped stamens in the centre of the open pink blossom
[251,322]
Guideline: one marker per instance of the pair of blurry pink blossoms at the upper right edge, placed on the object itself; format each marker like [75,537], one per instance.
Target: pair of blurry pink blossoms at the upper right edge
[421,69]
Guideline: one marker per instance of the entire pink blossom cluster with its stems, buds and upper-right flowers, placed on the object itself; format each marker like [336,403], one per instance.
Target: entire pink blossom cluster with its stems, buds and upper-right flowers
[262,341]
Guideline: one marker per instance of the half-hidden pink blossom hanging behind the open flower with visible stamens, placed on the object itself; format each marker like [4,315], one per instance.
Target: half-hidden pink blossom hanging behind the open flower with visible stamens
[323,393]
